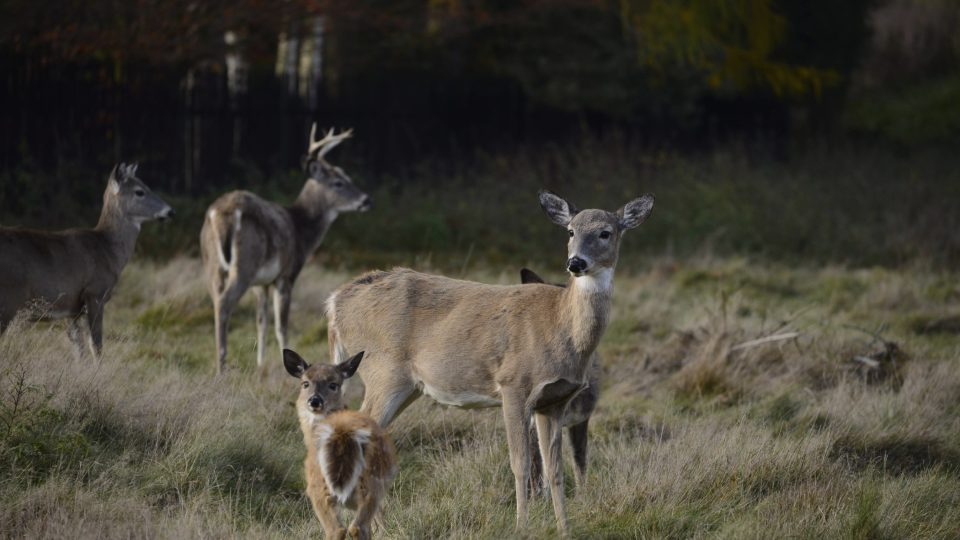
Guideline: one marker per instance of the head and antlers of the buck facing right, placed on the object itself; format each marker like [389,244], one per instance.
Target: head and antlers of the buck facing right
[328,183]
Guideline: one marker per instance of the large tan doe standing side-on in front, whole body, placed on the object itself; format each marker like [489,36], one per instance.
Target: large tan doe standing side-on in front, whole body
[526,348]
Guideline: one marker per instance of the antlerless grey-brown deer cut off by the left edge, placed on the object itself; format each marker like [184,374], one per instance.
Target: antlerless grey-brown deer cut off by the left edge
[55,275]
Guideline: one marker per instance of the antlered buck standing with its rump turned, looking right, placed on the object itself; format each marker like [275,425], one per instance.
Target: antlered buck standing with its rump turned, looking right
[247,241]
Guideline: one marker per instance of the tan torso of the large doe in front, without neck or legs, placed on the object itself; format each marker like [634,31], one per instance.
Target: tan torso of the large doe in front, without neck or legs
[451,336]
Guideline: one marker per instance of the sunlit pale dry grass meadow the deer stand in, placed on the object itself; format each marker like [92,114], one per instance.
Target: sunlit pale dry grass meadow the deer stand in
[694,436]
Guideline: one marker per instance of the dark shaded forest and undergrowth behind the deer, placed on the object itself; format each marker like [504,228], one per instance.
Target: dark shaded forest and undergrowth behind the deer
[793,129]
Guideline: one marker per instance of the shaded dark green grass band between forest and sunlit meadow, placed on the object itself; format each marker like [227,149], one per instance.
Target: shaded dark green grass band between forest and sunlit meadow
[828,203]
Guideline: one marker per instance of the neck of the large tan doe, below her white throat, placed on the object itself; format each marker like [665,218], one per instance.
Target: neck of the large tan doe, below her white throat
[587,302]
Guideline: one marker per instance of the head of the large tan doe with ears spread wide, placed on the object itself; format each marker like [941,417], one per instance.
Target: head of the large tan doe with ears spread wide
[594,234]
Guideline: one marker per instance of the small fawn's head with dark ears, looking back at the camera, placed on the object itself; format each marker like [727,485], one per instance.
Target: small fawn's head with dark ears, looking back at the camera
[321,384]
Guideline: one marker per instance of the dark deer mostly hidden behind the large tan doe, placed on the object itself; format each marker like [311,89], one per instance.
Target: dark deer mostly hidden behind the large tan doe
[576,418]
